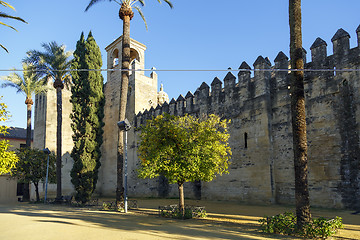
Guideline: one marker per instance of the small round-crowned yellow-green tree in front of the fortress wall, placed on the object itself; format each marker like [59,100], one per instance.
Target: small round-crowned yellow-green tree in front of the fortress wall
[184,149]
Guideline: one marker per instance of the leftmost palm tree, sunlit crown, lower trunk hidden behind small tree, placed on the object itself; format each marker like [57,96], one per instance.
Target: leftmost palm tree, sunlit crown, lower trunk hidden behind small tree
[29,85]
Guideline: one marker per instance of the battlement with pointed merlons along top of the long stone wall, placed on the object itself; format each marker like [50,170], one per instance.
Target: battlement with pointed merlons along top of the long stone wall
[222,96]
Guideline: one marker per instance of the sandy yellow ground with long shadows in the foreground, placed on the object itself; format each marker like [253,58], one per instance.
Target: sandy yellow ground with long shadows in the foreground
[226,220]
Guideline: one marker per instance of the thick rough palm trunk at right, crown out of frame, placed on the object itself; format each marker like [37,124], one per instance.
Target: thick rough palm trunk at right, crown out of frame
[298,115]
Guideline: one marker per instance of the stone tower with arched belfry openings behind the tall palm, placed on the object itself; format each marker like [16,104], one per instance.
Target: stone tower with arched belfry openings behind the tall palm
[142,95]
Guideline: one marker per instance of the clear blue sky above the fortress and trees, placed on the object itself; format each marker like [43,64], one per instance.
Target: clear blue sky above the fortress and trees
[196,34]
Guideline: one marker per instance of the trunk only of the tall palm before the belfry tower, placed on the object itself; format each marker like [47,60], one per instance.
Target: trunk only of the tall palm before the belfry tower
[126,16]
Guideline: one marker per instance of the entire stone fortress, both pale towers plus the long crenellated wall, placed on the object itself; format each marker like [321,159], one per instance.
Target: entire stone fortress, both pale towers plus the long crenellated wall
[261,169]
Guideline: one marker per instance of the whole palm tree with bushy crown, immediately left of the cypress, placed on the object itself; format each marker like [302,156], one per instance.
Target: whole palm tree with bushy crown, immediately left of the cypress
[54,63]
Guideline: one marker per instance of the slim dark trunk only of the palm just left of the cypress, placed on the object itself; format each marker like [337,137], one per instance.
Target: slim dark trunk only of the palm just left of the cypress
[58,86]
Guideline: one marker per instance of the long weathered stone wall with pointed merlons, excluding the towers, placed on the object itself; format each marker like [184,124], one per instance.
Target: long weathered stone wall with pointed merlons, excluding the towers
[261,169]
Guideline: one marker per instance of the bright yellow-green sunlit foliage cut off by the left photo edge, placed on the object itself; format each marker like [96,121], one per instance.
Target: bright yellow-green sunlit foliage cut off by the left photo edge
[8,159]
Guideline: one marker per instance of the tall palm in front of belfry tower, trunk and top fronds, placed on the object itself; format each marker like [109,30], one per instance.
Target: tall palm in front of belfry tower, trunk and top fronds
[126,14]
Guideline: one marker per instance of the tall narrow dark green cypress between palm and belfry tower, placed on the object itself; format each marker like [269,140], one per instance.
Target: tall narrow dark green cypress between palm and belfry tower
[87,114]
